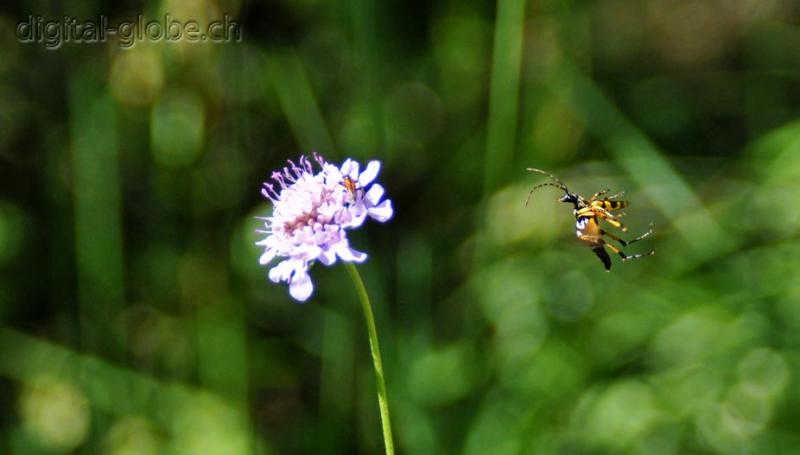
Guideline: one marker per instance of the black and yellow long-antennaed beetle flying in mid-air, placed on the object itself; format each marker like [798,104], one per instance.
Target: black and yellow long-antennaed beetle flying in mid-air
[587,213]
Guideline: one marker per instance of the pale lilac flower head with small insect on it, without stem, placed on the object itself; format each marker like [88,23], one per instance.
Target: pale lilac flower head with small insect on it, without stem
[311,214]
